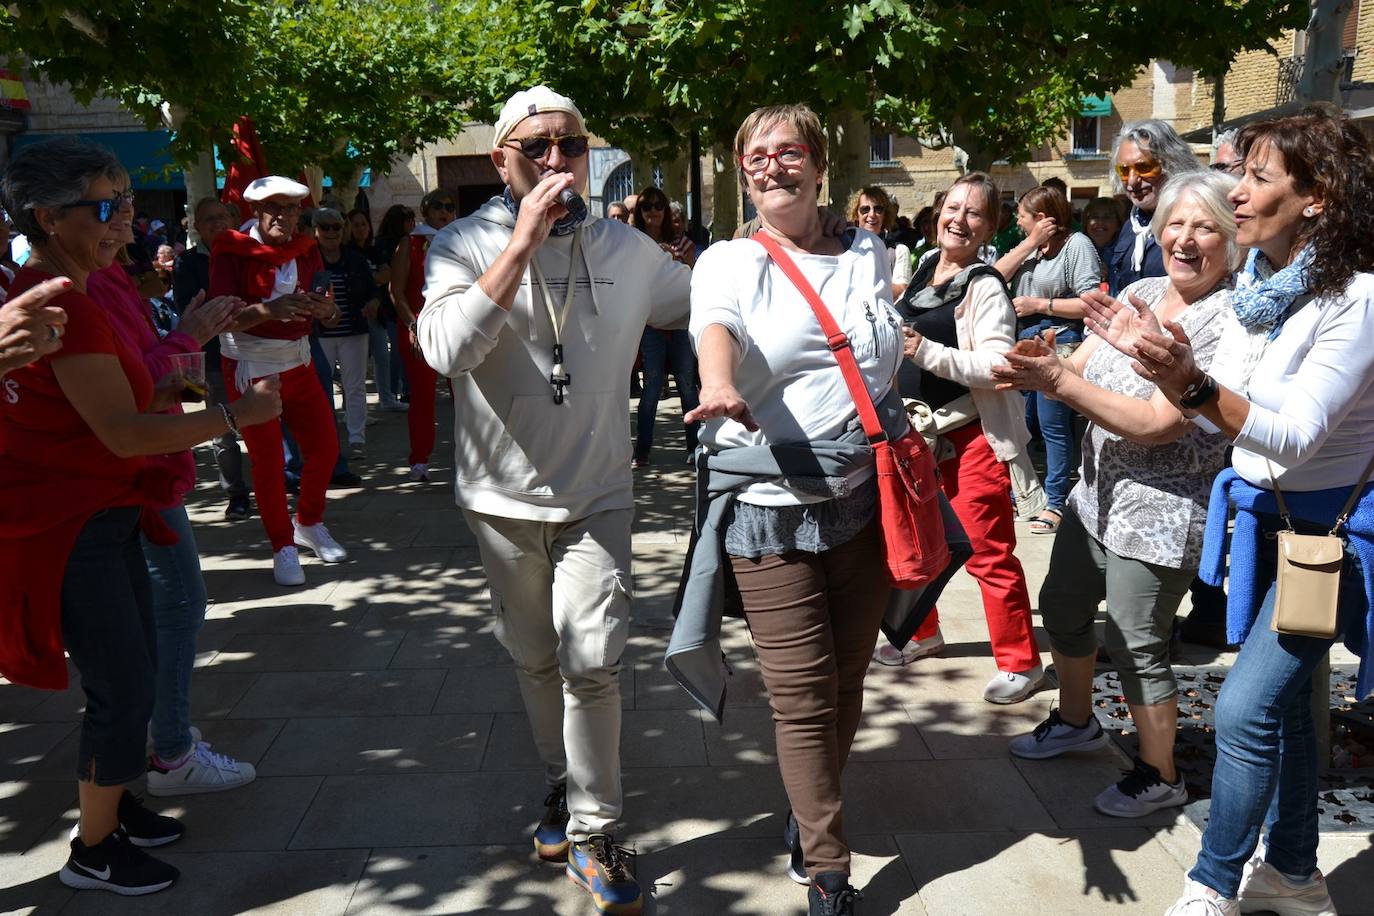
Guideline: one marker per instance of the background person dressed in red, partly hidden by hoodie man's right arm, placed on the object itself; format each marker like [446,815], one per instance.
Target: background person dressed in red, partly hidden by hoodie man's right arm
[438,209]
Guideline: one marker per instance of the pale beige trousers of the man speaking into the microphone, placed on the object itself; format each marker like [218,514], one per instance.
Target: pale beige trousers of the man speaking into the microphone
[561,597]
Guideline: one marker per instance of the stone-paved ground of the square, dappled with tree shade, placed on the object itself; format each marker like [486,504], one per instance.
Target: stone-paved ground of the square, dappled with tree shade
[398,772]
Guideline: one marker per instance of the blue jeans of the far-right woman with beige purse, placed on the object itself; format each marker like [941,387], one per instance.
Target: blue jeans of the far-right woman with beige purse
[1266,744]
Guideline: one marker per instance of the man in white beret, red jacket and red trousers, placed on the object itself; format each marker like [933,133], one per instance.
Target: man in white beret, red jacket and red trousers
[271,268]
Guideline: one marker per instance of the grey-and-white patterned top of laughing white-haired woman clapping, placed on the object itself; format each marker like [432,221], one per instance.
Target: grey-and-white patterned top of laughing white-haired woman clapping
[1149,502]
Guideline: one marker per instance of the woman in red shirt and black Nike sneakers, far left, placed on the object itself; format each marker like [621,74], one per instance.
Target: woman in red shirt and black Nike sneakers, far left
[75,490]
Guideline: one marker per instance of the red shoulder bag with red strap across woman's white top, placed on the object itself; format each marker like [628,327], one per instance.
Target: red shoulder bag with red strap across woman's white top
[914,545]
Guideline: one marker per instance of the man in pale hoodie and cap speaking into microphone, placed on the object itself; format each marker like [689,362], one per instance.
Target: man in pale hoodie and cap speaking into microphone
[537,317]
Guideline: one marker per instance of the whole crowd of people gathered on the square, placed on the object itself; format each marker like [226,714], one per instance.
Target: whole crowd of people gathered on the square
[1191,351]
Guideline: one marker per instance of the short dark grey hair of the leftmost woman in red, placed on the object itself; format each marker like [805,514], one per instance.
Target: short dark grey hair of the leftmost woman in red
[54,174]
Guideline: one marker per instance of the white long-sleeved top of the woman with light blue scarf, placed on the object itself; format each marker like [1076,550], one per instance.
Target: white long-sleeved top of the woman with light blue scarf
[1313,396]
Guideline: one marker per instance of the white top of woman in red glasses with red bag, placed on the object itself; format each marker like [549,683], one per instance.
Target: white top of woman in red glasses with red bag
[788,376]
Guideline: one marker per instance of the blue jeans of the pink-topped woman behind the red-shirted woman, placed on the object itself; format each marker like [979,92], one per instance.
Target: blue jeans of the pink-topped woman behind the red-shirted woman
[178,612]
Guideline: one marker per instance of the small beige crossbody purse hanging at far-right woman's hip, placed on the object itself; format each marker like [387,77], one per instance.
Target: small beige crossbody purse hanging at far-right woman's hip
[1310,572]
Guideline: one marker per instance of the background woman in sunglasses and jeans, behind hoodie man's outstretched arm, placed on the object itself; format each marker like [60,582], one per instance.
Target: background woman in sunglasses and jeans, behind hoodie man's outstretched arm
[660,350]
